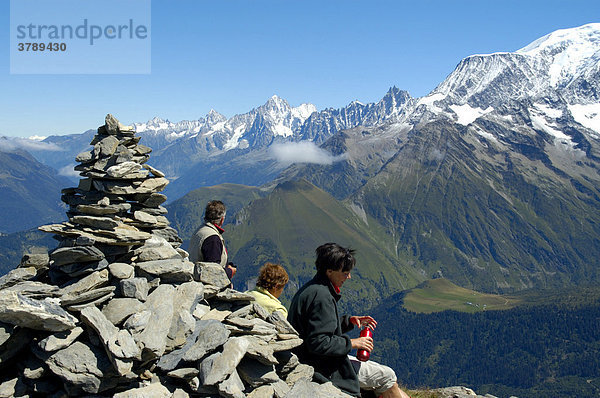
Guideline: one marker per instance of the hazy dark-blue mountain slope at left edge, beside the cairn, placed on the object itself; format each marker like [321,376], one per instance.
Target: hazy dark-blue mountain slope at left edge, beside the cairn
[30,192]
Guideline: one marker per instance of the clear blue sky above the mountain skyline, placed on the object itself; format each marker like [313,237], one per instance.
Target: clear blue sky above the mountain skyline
[232,56]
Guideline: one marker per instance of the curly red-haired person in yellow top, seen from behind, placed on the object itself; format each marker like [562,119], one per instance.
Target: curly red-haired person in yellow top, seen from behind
[272,278]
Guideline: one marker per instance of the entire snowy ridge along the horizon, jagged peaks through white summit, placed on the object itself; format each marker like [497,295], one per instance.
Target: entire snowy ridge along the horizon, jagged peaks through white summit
[504,88]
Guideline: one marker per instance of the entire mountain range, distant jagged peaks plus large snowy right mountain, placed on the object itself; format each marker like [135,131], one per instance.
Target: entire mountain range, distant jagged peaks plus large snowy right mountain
[491,180]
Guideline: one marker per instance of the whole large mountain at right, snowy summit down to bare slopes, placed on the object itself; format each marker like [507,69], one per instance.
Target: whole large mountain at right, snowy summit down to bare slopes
[492,179]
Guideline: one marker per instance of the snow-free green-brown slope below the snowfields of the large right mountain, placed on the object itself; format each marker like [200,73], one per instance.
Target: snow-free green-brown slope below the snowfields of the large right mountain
[495,218]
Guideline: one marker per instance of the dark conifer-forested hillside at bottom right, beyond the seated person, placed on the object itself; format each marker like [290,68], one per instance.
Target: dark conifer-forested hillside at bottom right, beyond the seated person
[533,350]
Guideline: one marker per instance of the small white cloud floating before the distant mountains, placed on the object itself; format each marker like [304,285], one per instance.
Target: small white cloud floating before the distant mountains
[303,152]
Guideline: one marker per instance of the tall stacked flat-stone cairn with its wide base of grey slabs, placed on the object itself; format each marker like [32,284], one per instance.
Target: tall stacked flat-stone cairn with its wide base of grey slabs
[117,309]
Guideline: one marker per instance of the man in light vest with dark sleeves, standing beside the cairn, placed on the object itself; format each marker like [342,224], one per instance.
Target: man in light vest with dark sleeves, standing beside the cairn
[207,243]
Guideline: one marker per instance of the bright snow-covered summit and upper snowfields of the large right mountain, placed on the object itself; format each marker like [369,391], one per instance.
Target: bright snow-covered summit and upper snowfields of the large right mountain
[558,75]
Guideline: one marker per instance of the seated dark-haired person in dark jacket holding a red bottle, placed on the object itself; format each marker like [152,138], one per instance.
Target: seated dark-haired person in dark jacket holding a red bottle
[314,314]
